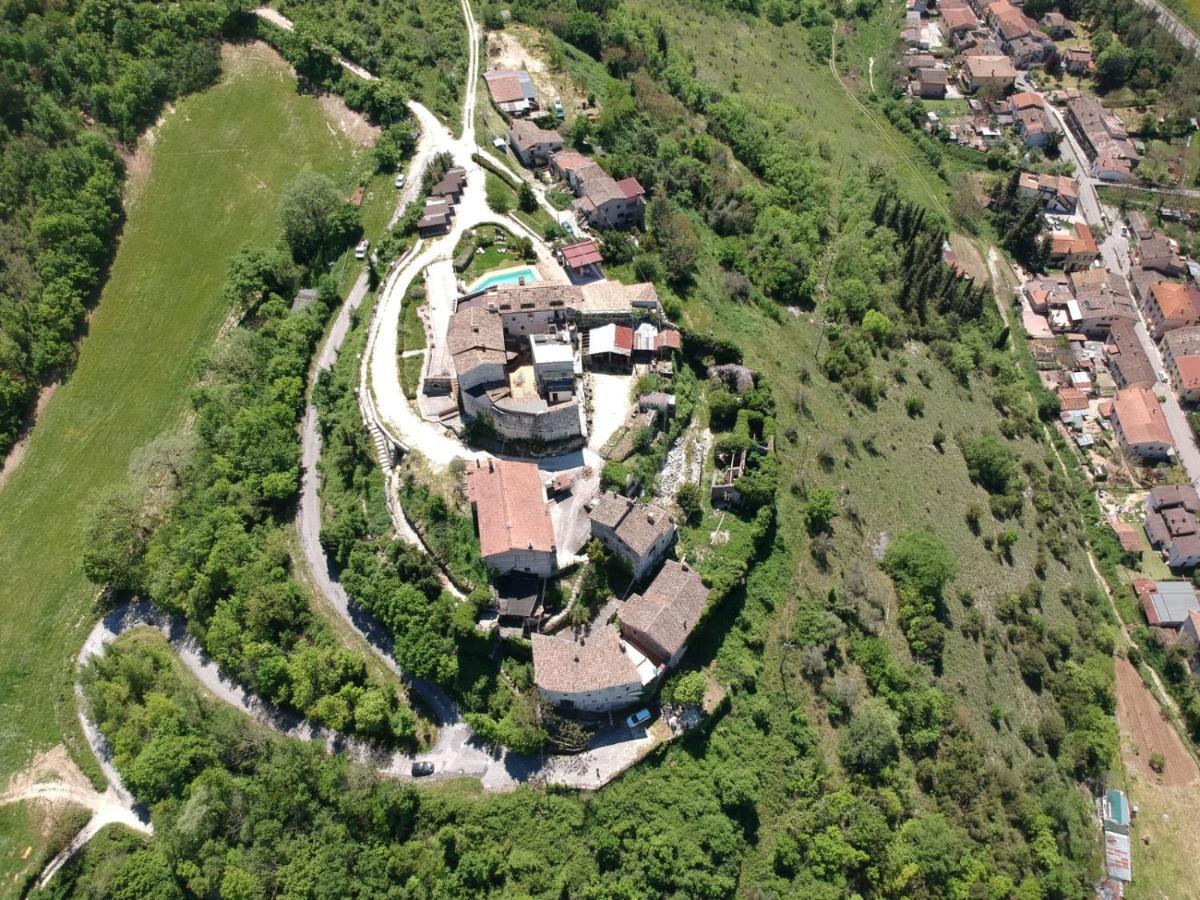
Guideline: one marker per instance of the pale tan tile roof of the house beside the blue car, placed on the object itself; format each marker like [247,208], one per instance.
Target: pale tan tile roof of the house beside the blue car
[578,664]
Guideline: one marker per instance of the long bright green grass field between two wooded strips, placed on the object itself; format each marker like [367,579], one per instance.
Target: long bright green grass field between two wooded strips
[219,165]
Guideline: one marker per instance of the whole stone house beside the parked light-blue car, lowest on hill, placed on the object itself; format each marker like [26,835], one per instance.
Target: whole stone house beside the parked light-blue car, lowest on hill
[591,671]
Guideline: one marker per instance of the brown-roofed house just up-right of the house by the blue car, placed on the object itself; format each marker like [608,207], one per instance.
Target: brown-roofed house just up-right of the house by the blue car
[661,620]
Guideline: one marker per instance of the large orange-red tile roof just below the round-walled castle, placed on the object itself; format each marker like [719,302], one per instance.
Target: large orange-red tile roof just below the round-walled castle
[511,507]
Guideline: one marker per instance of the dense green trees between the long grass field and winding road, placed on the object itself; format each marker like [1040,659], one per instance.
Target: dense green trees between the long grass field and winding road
[205,532]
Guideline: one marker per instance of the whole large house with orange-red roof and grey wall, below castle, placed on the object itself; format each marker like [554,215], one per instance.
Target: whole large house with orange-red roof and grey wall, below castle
[509,505]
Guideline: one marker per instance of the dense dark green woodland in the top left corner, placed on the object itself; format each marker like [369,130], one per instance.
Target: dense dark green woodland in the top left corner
[75,81]
